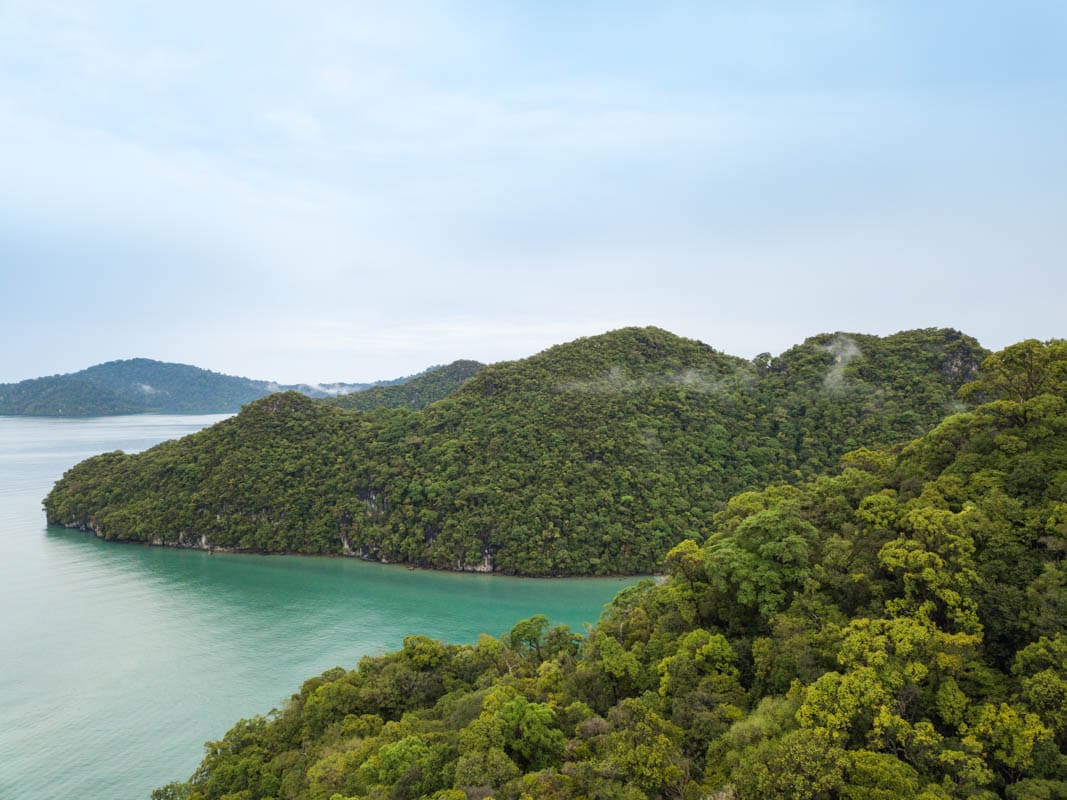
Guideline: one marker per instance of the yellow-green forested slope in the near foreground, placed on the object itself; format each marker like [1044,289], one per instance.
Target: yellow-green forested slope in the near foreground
[896,631]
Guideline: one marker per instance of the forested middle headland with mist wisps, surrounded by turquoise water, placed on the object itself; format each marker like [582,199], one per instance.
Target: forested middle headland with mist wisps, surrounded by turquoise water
[592,458]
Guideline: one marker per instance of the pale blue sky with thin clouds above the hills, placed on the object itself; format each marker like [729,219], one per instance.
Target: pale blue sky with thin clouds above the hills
[340,191]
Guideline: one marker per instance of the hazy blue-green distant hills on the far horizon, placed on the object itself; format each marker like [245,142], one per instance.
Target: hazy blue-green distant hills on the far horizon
[139,386]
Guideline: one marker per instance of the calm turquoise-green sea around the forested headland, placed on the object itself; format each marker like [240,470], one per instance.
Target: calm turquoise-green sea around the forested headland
[118,662]
